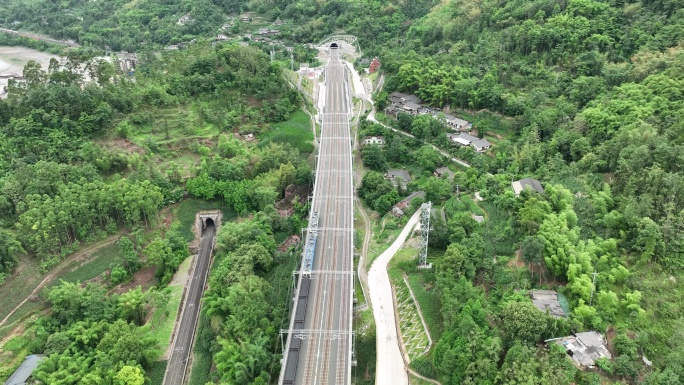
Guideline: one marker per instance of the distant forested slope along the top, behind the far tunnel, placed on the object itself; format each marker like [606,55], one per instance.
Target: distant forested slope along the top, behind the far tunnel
[134,25]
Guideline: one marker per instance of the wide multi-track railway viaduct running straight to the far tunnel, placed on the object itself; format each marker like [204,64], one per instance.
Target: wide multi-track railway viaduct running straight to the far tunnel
[323,356]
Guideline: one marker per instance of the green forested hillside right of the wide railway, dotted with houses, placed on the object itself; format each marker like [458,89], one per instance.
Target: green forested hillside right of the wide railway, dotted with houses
[587,97]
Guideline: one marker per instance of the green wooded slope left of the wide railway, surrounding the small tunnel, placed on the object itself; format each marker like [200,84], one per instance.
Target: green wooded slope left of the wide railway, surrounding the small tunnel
[84,157]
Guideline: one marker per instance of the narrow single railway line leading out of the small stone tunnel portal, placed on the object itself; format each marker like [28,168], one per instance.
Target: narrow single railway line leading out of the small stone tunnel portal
[185,332]
